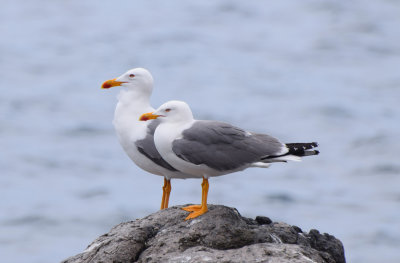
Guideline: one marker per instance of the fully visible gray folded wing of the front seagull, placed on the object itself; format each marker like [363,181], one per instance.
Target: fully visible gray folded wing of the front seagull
[224,147]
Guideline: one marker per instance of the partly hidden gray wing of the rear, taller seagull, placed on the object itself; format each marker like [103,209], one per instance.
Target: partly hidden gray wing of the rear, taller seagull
[147,147]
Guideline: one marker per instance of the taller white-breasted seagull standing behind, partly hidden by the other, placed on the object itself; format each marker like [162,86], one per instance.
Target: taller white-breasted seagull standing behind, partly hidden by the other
[136,137]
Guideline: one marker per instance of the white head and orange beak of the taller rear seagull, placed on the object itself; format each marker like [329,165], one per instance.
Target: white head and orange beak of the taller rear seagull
[137,78]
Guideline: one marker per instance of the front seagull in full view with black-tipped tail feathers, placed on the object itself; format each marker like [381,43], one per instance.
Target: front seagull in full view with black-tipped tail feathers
[205,149]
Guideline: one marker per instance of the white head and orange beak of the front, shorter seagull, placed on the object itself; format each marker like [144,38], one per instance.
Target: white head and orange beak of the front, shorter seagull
[171,111]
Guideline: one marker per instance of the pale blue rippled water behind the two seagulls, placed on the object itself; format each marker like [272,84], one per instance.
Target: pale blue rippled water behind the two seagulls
[302,71]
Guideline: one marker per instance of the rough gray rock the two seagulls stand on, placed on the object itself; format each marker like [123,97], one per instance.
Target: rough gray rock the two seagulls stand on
[221,235]
